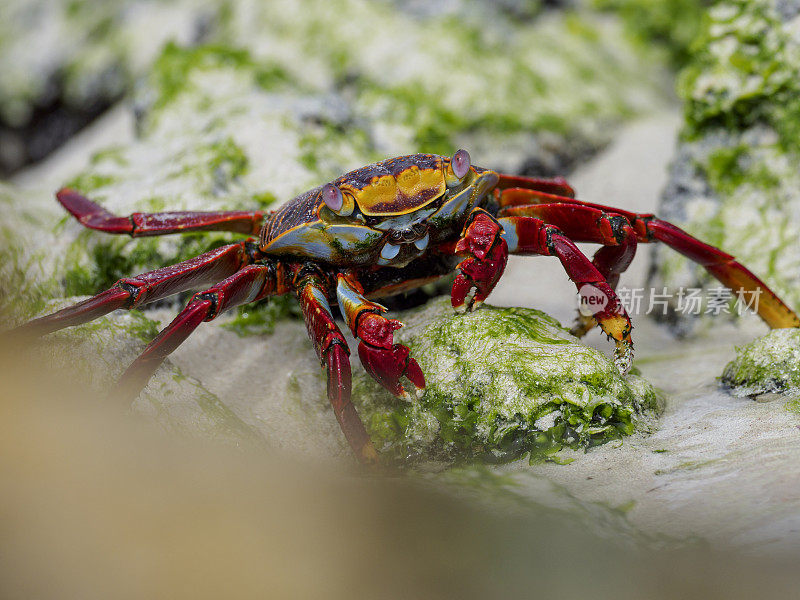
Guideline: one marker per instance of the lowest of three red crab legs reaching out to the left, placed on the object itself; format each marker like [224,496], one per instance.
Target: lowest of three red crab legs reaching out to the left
[249,284]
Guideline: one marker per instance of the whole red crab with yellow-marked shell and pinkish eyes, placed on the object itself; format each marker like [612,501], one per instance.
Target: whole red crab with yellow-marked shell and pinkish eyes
[377,231]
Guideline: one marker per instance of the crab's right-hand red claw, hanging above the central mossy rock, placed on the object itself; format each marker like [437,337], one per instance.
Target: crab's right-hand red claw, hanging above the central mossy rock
[486,255]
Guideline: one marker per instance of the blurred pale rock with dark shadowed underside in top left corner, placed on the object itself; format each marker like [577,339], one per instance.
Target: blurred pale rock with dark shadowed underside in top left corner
[66,62]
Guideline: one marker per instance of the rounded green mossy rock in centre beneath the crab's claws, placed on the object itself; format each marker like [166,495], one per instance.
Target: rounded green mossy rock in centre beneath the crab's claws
[501,382]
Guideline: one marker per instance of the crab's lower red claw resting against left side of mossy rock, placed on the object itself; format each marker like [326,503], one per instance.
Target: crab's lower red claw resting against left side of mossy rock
[384,360]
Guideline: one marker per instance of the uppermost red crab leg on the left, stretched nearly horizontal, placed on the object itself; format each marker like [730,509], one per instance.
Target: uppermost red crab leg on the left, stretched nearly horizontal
[94,216]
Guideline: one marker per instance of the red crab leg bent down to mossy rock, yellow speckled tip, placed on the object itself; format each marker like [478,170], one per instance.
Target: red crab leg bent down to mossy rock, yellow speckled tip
[528,235]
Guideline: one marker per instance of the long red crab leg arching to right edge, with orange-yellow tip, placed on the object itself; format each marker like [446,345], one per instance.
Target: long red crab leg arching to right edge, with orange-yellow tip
[724,267]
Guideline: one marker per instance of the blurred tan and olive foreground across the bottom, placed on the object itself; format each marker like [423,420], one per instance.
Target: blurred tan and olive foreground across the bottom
[100,504]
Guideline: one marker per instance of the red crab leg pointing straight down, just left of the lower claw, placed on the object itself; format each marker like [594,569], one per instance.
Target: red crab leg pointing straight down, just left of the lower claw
[333,353]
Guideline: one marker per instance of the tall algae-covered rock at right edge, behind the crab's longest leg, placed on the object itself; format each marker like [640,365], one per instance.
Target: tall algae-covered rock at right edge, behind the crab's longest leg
[735,182]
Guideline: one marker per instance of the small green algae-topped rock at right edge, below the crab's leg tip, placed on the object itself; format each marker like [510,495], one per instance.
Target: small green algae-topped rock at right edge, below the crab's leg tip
[768,364]
